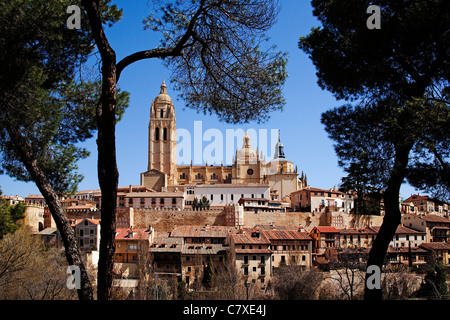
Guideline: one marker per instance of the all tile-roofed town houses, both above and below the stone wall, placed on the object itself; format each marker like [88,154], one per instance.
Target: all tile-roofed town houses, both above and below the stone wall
[255,251]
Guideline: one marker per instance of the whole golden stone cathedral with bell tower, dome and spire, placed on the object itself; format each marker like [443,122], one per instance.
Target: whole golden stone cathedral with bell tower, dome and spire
[248,167]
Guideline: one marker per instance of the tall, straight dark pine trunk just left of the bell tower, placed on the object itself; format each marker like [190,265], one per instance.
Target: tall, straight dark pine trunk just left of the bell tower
[108,175]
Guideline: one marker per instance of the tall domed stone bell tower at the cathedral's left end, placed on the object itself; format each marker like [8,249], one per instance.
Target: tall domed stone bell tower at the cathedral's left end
[162,143]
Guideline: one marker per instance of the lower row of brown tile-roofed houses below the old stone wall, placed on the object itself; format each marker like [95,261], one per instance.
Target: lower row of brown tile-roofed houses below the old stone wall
[257,252]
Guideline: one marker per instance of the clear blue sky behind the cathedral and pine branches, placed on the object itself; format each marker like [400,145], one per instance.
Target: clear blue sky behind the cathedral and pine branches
[305,141]
